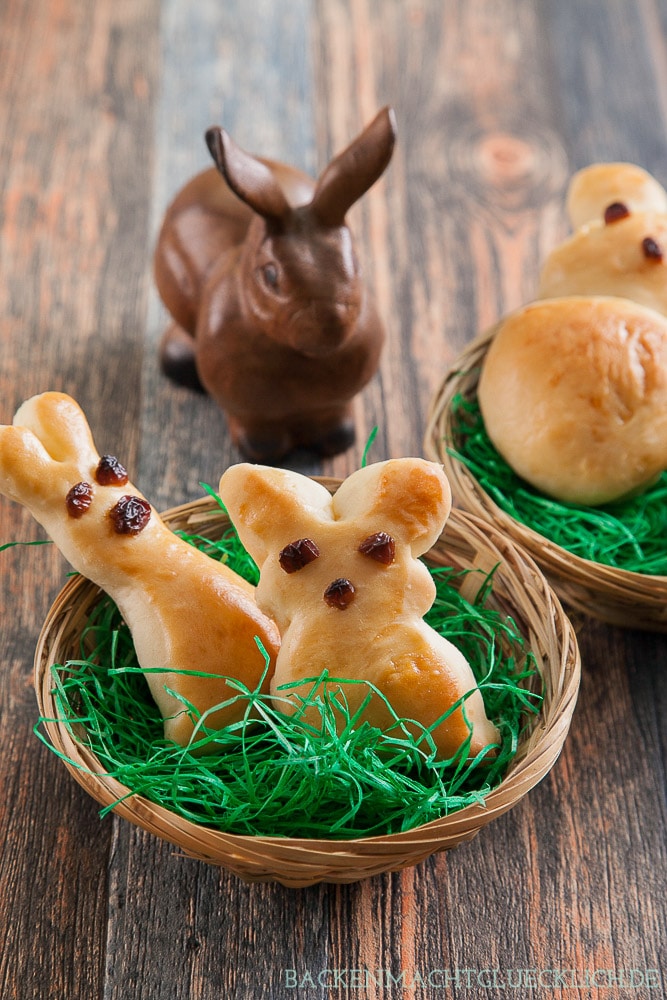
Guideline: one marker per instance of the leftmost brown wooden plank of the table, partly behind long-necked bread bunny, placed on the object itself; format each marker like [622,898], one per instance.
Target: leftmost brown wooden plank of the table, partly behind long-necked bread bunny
[75,164]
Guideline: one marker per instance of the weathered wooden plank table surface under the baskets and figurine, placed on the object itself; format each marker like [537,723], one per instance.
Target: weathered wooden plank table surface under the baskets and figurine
[103,110]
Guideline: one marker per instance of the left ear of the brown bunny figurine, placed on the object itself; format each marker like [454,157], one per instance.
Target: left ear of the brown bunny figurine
[249,178]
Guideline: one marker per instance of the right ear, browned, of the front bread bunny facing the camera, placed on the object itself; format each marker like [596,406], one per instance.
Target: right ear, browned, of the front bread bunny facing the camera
[410,494]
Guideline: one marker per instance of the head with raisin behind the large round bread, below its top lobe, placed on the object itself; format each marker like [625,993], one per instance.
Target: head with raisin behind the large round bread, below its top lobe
[622,258]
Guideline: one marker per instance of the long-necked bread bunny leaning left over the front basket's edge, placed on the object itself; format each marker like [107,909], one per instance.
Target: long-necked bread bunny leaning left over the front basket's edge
[186,612]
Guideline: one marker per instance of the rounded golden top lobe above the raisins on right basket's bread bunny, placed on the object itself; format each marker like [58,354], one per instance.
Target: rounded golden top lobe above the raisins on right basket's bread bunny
[594,188]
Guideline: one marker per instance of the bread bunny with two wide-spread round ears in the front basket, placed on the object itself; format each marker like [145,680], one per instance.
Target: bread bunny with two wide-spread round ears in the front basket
[341,577]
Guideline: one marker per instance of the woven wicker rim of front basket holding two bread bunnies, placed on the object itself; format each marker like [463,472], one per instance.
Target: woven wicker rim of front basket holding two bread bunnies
[525,771]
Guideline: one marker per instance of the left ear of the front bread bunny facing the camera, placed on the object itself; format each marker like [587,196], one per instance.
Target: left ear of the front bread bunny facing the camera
[271,507]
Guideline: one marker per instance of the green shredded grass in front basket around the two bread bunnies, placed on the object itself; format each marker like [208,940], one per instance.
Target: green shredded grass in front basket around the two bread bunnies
[275,775]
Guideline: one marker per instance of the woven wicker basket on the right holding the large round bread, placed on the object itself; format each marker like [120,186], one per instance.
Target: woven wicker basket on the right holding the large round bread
[613,595]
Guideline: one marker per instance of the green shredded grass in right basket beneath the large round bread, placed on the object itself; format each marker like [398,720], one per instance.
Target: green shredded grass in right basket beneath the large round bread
[629,535]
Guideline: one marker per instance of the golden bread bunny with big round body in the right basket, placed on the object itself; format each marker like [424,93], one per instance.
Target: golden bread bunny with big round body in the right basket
[573,389]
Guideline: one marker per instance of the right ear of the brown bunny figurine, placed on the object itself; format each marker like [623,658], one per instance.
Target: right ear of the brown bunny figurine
[352,172]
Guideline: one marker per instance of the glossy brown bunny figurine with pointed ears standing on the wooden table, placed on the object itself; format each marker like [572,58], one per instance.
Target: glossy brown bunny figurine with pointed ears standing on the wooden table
[270,315]
